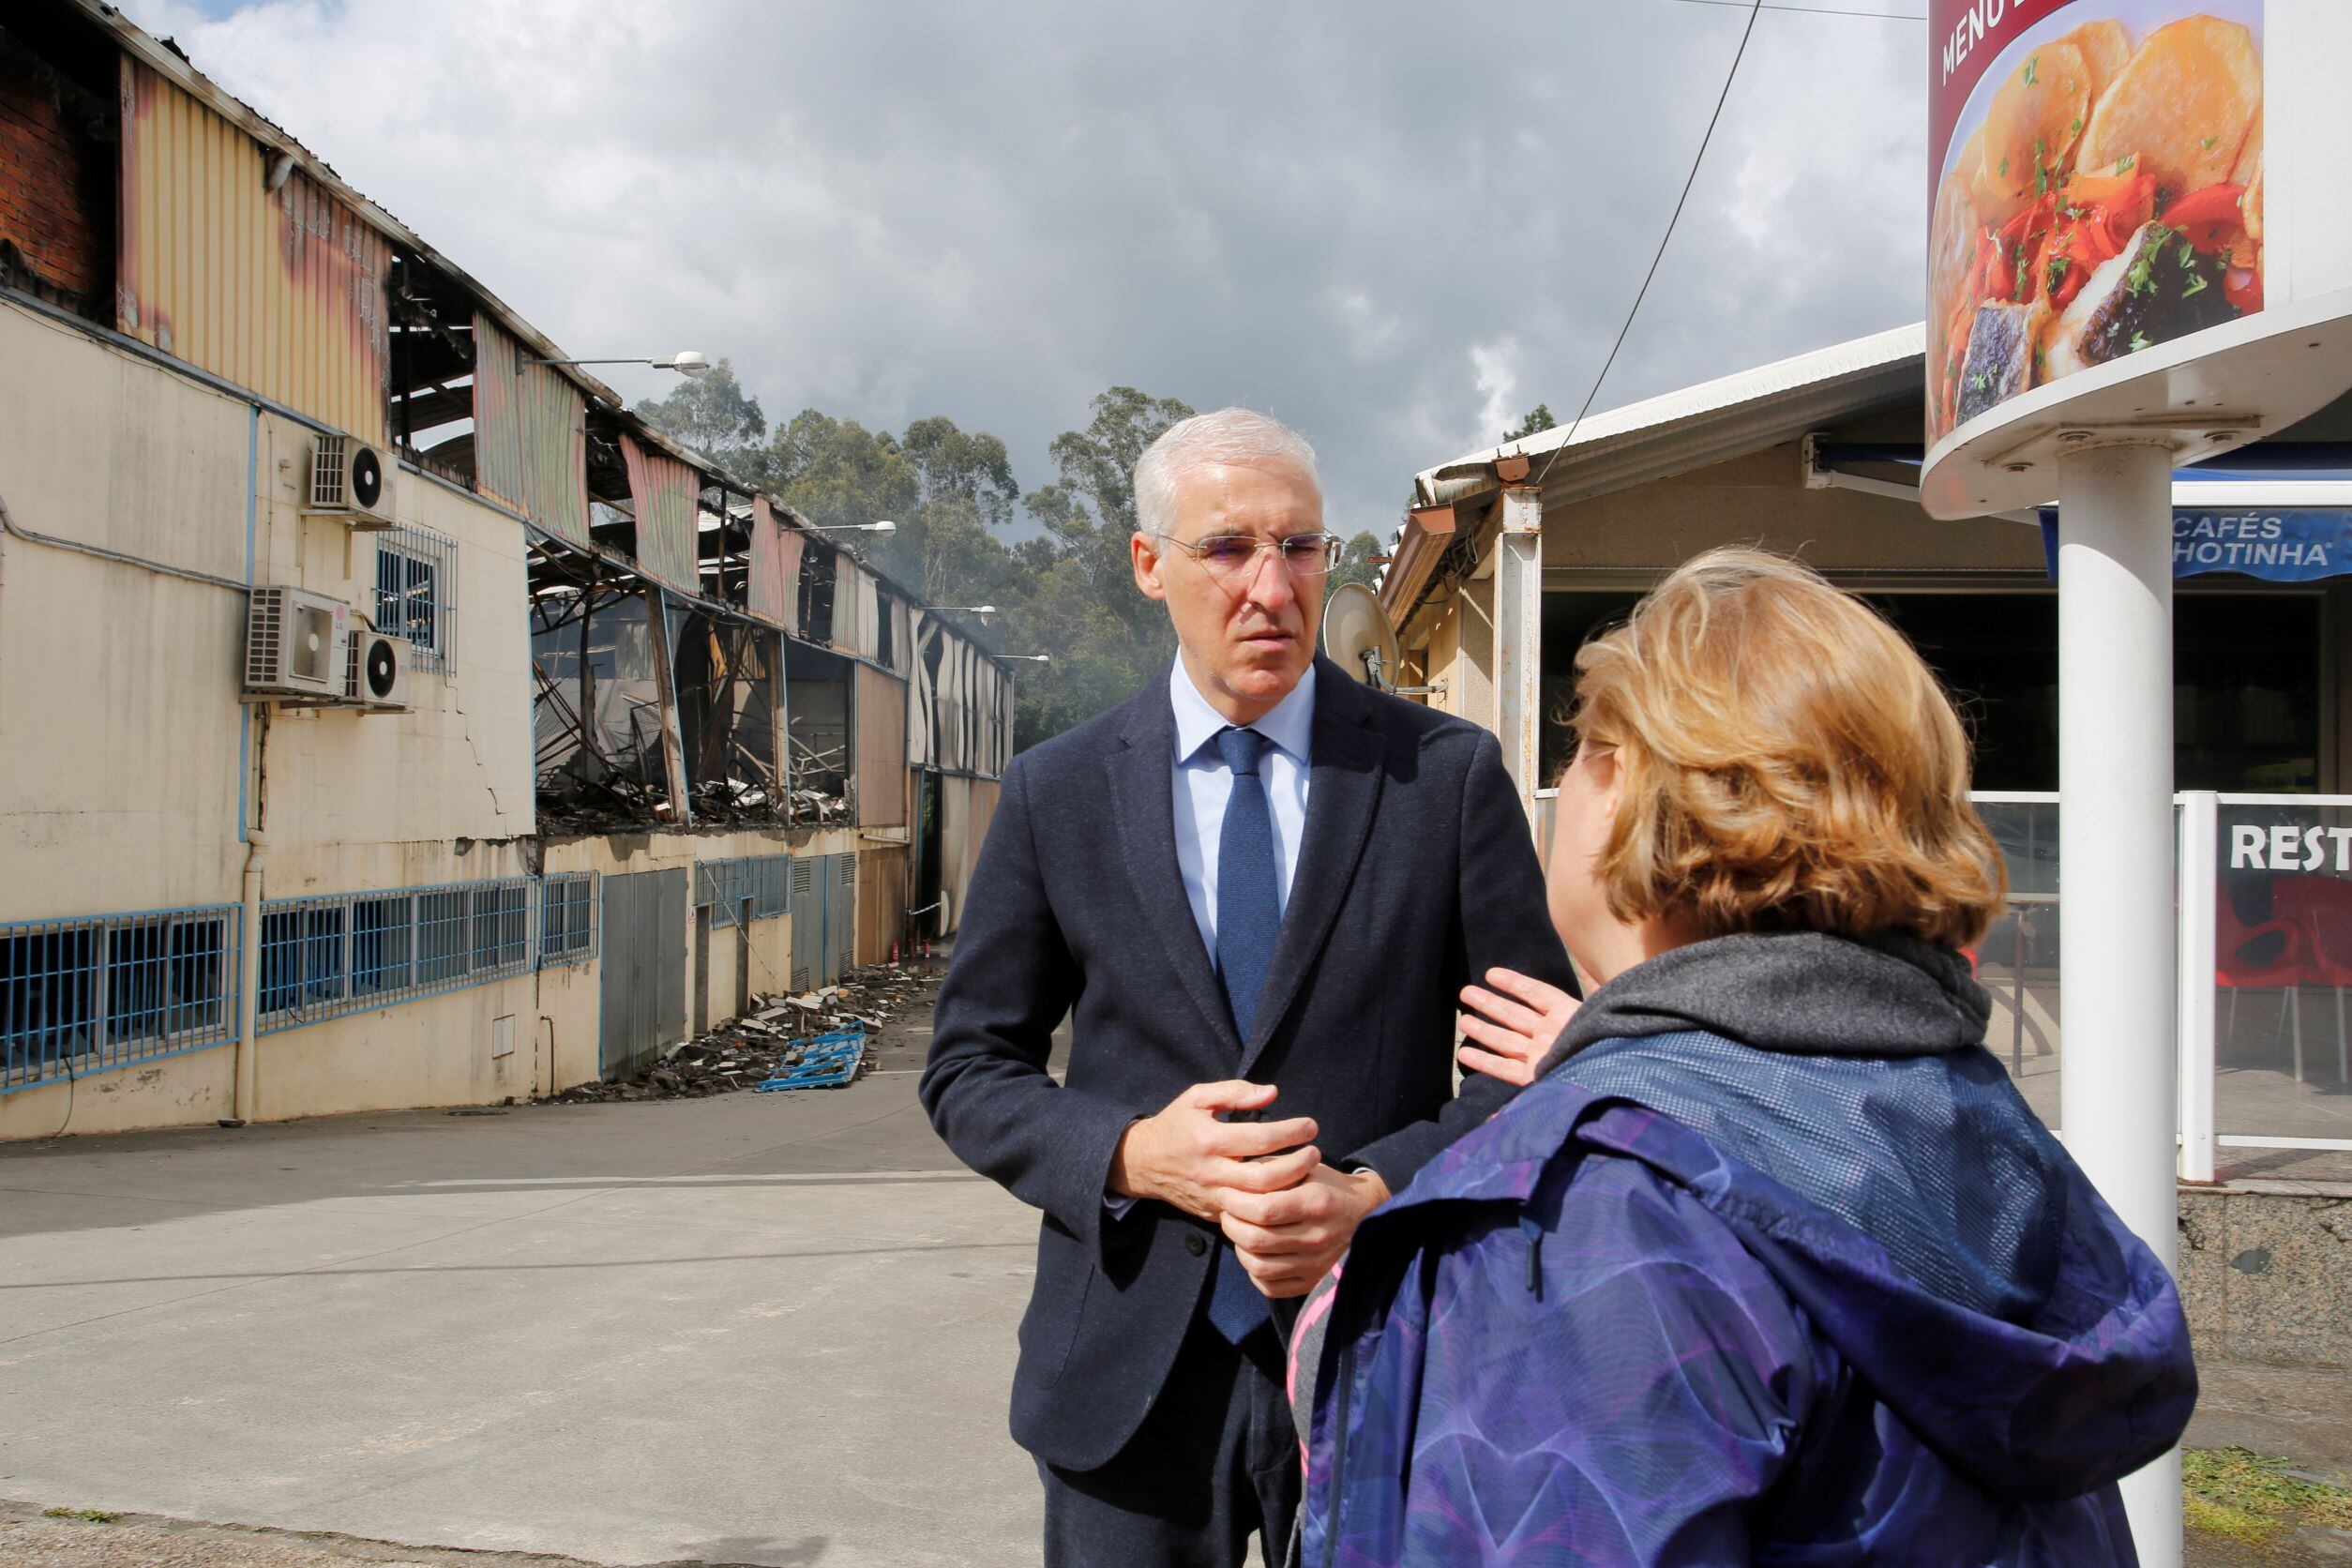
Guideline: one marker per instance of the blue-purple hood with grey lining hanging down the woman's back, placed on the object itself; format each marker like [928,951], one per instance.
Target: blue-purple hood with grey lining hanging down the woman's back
[1906,1200]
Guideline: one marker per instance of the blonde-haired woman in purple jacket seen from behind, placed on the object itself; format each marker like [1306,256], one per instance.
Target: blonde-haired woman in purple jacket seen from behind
[1770,1261]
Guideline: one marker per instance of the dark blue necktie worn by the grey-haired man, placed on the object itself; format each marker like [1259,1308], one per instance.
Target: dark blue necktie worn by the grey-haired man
[1248,923]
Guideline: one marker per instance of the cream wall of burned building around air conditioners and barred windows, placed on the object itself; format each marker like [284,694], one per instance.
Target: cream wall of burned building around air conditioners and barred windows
[128,765]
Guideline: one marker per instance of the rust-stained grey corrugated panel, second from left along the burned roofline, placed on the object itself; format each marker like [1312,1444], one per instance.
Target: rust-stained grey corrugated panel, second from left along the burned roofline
[530,434]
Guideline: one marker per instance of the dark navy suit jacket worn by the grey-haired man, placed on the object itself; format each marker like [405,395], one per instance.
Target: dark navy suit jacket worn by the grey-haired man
[1415,876]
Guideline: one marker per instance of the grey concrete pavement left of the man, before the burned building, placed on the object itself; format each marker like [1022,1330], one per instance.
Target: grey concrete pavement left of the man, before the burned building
[751,1329]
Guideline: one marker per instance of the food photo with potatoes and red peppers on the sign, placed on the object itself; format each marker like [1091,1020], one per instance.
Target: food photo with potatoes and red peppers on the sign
[2102,187]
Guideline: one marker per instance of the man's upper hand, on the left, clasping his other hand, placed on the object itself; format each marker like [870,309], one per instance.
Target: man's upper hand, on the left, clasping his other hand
[1189,1158]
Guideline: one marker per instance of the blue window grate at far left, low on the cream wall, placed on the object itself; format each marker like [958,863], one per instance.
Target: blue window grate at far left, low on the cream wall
[86,996]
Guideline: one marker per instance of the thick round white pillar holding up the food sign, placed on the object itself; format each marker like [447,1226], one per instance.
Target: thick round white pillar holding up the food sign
[2116,859]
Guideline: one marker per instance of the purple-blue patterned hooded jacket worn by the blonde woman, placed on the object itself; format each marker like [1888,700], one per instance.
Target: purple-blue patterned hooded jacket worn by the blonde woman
[1598,1334]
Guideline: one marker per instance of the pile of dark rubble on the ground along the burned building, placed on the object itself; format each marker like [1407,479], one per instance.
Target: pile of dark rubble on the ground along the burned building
[759,1045]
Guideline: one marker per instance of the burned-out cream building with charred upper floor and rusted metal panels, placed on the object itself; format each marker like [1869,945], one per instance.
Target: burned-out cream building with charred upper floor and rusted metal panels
[389,716]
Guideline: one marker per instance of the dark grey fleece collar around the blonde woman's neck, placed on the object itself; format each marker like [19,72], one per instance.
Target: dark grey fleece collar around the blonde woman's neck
[1803,991]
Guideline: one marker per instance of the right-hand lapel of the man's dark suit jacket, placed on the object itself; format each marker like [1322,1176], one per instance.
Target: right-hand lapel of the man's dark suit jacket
[1344,791]
